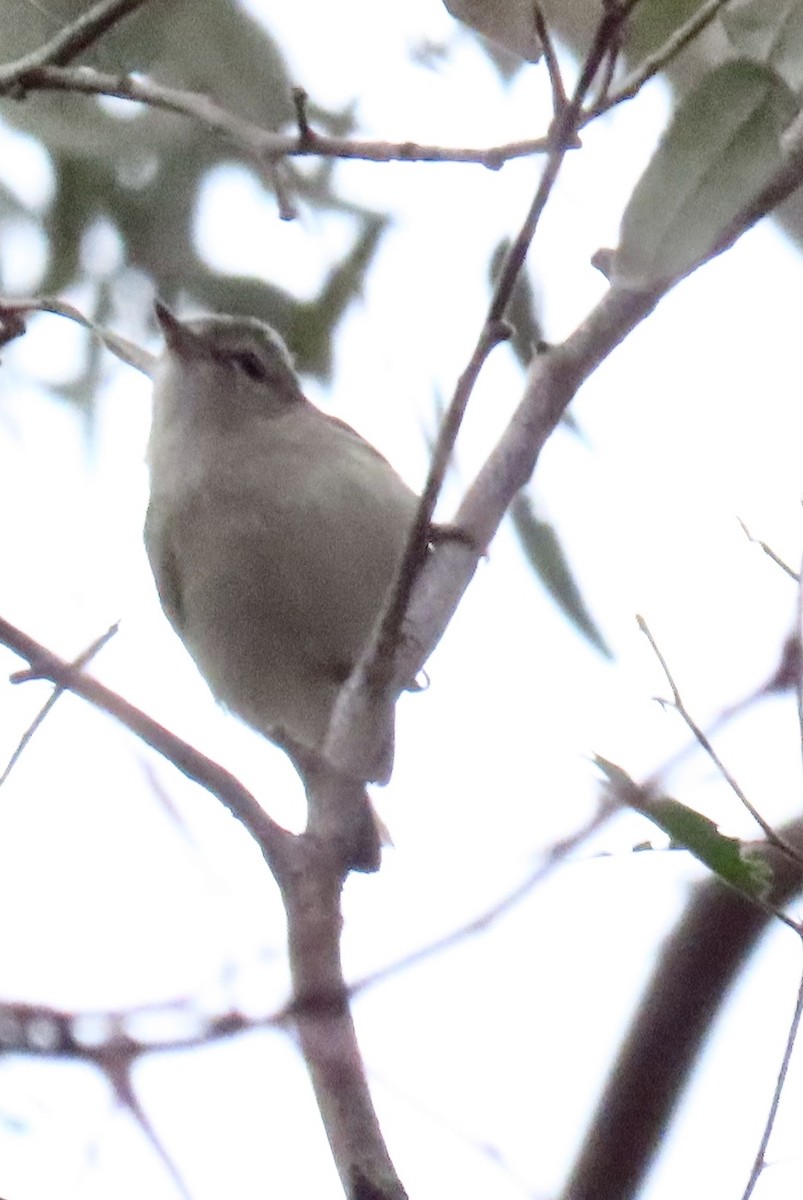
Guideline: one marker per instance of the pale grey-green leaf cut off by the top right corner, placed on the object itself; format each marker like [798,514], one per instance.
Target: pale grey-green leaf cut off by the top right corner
[769,32]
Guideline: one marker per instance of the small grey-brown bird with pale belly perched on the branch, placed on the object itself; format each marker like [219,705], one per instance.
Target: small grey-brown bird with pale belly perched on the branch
[274,533]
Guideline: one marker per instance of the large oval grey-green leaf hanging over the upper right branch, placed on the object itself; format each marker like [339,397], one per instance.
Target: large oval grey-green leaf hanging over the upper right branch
[720,151]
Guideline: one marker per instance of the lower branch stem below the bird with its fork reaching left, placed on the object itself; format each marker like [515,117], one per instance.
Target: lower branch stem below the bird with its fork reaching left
[310,874]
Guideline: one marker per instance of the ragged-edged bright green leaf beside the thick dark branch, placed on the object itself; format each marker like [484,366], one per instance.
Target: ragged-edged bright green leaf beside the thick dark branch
[729,859]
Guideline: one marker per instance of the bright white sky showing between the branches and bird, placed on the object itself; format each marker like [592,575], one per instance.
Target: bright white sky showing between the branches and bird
[504,1042]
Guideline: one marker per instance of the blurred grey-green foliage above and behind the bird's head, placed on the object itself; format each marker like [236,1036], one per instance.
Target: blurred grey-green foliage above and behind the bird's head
[143,173]
